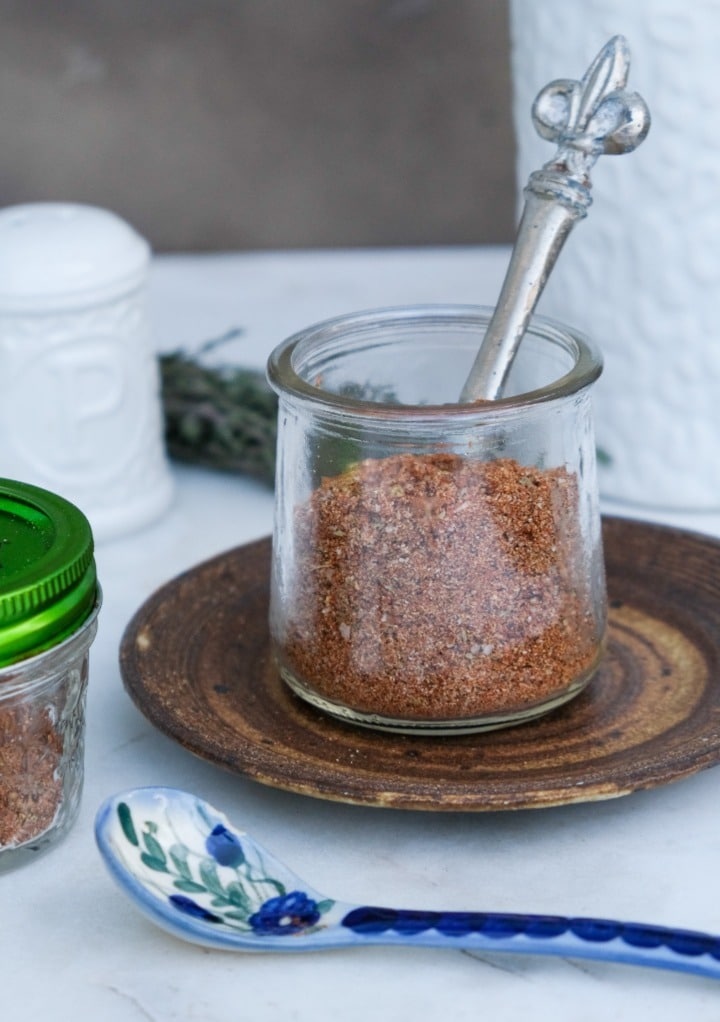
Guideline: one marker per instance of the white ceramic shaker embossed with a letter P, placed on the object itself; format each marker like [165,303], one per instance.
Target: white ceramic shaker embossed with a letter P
[80,405]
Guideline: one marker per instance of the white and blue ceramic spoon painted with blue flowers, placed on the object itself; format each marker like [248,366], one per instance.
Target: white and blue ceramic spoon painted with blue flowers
[194,874]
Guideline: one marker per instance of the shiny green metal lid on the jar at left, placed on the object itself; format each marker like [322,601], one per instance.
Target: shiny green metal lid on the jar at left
[49,582]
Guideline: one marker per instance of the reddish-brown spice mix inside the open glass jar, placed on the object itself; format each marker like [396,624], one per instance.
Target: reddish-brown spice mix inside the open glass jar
[436,587]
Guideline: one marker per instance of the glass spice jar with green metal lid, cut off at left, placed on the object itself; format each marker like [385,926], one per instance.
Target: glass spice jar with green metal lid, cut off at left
[50,603]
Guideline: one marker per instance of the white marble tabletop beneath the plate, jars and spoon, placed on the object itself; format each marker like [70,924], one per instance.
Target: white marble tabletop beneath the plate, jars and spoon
[73,948]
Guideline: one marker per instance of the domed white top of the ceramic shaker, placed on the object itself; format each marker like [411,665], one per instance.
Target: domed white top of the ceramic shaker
[57,255]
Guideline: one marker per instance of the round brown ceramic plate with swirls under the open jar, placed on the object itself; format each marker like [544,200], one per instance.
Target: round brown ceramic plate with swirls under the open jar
[196,660]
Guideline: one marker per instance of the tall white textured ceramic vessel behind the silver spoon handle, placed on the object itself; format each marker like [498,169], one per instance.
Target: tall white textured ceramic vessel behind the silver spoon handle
[642,275]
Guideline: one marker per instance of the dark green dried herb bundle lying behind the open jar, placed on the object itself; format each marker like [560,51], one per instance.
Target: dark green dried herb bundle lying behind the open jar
[219,417]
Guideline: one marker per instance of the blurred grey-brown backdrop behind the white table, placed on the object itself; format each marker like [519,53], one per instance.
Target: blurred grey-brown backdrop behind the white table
[264,124]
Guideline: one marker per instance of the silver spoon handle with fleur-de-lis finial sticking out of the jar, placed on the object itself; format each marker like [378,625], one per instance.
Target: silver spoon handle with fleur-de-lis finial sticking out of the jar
[586,119]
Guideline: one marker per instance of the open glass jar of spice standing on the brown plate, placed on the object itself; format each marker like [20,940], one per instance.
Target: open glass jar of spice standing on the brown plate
[438,568]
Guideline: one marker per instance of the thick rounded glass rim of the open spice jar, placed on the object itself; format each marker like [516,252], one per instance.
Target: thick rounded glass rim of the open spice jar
[285,380]
